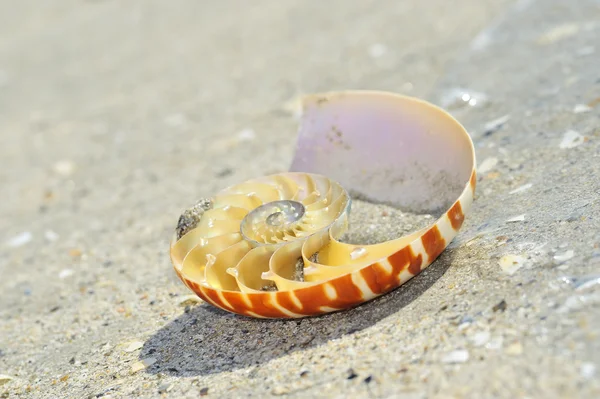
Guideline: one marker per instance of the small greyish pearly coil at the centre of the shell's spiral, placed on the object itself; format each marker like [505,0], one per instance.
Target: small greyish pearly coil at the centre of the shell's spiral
[273,222]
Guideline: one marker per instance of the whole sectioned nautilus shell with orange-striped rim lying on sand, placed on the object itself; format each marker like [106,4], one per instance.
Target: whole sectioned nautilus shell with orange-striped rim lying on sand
[270,247]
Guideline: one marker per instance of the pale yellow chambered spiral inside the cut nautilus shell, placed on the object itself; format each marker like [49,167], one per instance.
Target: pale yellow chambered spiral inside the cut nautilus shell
[260,235]
